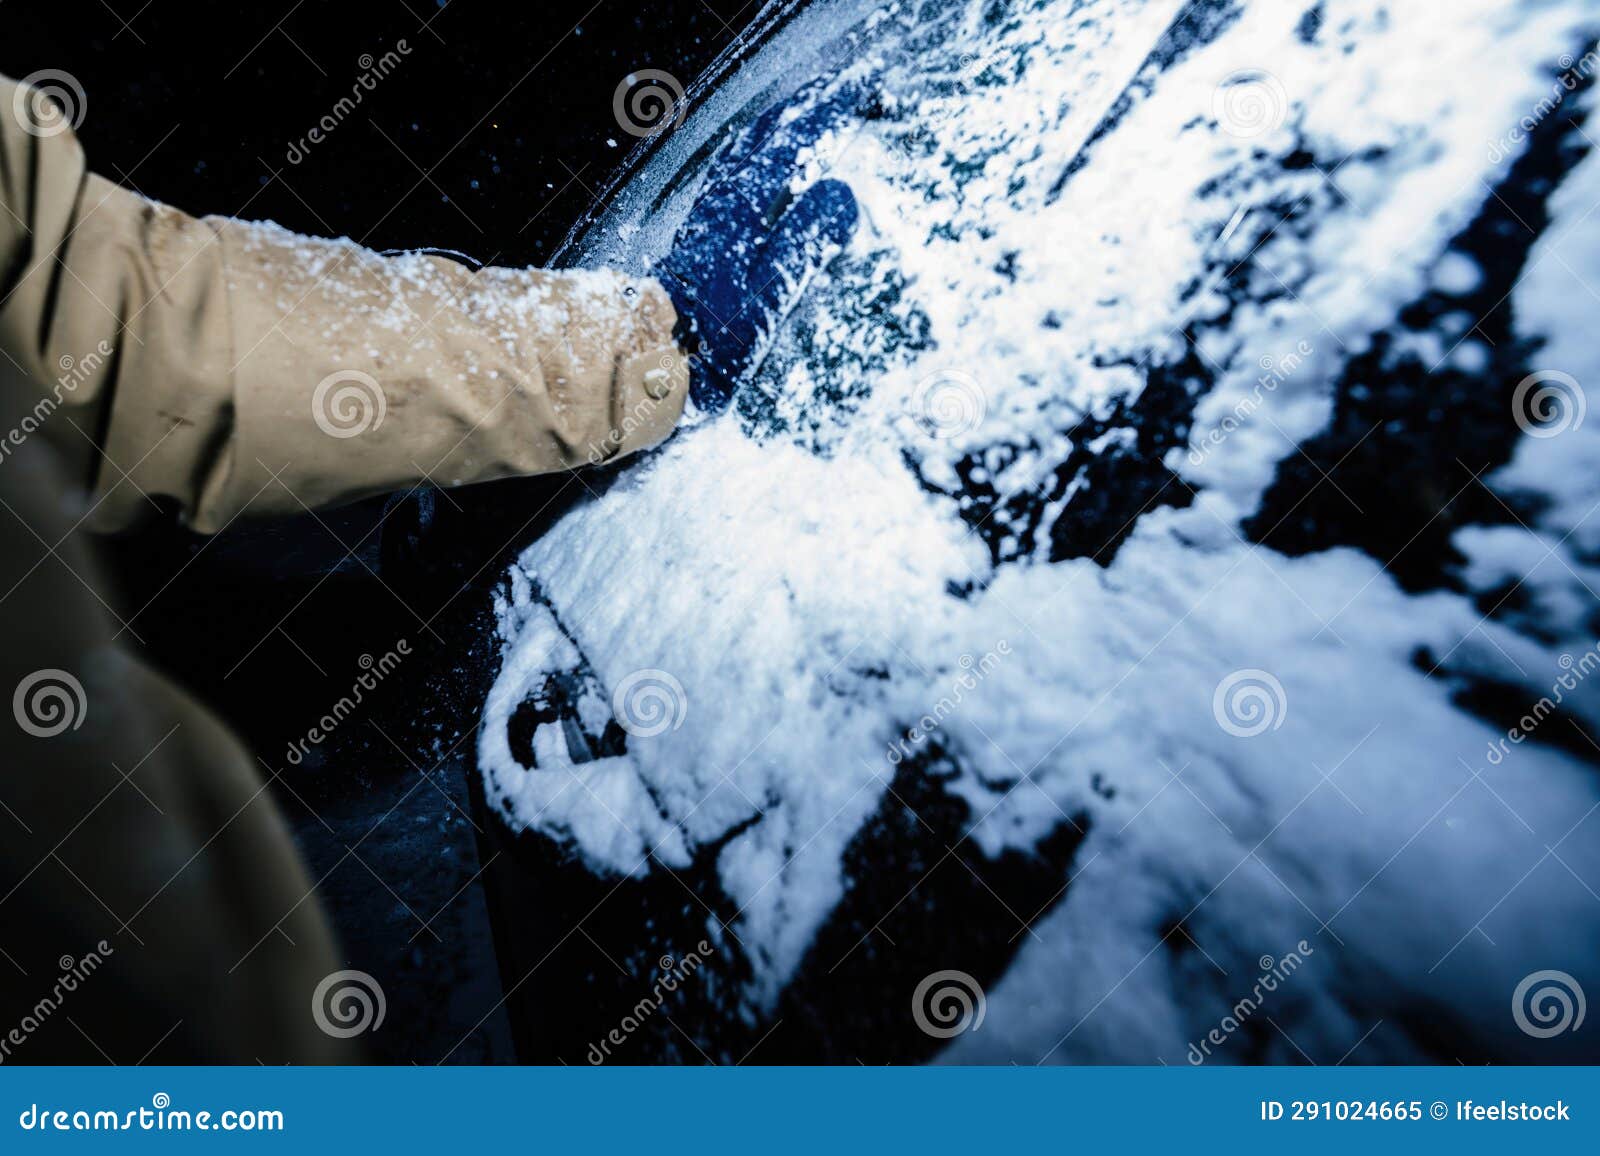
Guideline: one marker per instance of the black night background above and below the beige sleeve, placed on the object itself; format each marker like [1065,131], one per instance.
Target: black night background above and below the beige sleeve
[490,138]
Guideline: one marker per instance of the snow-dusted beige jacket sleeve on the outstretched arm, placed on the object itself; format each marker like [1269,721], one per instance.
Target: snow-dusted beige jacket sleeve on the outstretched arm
[238,367]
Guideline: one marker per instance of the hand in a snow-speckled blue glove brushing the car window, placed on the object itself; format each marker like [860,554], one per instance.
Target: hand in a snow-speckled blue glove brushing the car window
[750,246]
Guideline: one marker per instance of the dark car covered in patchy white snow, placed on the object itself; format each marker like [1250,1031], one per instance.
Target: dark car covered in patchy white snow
[1142,608]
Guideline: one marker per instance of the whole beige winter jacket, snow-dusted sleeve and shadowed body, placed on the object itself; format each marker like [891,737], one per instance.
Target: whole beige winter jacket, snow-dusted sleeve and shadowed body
[151,901]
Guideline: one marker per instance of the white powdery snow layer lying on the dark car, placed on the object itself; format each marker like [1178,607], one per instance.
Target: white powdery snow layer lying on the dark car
[812,601]
